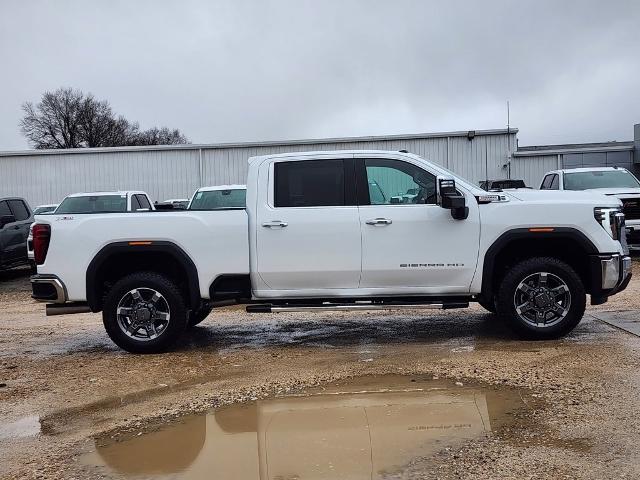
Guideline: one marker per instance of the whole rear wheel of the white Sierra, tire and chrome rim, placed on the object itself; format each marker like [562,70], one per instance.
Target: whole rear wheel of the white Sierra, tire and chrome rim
[144,313]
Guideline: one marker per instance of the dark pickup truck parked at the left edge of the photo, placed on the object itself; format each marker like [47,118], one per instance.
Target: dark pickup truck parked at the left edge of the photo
[15,219]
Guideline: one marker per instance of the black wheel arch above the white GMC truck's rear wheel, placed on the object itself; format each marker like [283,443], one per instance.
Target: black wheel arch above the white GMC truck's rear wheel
[118,259]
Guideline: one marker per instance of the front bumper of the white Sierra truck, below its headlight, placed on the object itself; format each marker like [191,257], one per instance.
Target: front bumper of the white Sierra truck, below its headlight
[610,274]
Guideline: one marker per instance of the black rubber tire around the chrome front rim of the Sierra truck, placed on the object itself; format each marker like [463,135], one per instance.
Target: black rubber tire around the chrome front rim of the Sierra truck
[559,270]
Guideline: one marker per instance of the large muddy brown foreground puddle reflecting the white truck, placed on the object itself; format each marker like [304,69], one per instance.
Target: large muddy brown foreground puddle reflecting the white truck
[362,429]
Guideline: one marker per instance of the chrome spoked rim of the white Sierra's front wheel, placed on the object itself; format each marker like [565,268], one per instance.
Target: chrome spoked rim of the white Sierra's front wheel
[542,299]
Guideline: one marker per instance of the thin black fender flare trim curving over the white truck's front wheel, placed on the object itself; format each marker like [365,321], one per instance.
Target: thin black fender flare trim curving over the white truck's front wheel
[558,233]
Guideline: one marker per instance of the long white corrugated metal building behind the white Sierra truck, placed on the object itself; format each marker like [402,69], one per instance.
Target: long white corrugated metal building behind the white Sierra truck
[47,176]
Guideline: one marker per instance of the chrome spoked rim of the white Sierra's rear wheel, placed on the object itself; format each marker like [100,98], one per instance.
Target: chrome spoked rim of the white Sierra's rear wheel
[143,314]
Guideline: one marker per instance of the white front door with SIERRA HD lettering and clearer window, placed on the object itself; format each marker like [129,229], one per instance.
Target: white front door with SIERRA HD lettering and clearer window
[409,243]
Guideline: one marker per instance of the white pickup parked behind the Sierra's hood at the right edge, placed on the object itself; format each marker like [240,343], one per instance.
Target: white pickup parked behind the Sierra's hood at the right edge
[615,182]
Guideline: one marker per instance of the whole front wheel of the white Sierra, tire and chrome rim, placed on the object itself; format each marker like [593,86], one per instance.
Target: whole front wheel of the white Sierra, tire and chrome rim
[541,298]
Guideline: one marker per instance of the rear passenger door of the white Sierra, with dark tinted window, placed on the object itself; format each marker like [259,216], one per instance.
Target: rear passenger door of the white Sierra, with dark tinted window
[308,230]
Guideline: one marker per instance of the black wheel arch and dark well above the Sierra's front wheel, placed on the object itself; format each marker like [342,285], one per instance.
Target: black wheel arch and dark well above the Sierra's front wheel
[565,243]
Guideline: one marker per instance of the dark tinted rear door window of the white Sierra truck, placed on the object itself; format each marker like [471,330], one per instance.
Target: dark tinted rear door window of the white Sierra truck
[312,183]
